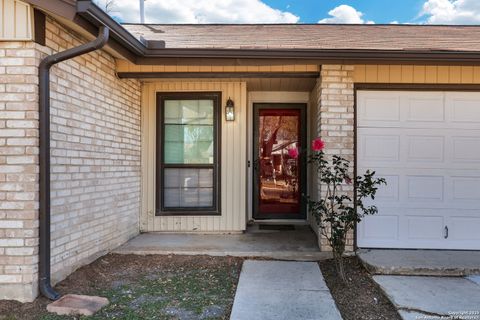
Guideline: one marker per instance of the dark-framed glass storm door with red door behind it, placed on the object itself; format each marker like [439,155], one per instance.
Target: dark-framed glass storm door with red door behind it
[279,175]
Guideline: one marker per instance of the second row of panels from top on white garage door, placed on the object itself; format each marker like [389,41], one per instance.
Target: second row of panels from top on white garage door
[419,148]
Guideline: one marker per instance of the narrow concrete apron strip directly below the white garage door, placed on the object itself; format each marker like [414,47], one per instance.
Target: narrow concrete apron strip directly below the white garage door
[421,262]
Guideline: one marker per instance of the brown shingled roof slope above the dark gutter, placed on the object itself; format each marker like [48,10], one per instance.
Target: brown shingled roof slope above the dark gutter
[312,36]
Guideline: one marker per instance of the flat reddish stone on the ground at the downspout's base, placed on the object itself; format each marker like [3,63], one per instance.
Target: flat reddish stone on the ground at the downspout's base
[73,304]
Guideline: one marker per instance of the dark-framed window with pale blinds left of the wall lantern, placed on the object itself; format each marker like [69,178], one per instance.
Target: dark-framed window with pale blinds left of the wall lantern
[188,155]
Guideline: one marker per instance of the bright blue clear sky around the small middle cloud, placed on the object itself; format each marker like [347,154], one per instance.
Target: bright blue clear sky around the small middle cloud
[380,11]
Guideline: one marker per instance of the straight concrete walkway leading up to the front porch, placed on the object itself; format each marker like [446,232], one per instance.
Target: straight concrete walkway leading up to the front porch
[283,290]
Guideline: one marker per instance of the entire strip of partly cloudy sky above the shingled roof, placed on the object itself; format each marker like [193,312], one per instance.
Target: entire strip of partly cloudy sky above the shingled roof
[299,11]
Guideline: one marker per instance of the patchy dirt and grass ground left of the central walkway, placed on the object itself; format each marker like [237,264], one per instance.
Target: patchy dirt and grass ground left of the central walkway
[146,287]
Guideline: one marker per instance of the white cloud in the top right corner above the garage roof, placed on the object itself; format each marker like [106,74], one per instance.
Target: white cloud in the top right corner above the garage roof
[452,11]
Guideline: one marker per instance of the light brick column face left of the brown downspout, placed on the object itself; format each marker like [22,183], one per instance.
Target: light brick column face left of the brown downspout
[18,170]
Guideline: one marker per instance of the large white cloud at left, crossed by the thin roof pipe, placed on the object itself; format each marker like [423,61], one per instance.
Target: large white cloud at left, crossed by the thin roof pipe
[202,11]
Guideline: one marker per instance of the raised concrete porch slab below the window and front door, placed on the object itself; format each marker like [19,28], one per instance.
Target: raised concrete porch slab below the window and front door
[300,244]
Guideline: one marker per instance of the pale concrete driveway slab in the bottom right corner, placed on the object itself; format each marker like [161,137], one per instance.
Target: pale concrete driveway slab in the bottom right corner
[433,297]
